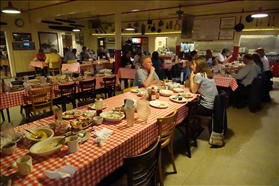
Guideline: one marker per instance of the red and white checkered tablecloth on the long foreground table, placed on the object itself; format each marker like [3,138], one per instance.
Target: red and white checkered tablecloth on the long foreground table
[93,162]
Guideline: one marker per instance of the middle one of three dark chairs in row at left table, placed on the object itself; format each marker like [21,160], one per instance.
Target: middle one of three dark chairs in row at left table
[87,89]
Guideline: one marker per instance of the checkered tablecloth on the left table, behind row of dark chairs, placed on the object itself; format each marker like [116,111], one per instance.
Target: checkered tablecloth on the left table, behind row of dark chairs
[13,99]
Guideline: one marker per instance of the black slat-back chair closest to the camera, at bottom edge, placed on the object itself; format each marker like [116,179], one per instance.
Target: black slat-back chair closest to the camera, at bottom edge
[142,169]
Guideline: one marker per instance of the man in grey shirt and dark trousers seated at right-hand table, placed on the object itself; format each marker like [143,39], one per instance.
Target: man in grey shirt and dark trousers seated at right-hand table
[245,78]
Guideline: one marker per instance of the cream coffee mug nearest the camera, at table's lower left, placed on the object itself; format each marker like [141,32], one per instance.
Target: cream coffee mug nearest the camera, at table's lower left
[24,165]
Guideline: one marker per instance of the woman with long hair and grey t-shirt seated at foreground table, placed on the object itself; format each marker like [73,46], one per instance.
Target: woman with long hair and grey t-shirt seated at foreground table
[201,81]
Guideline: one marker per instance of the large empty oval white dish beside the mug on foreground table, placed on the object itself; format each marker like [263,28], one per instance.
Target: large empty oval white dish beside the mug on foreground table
[47,147]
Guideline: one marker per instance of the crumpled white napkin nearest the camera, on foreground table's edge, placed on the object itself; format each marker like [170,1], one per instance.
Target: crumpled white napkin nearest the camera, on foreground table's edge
[63,172]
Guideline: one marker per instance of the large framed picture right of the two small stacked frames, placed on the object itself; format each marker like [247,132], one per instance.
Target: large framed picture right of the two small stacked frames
[48,40]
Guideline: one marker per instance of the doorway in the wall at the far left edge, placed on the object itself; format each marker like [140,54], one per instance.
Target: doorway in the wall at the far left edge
[5,68]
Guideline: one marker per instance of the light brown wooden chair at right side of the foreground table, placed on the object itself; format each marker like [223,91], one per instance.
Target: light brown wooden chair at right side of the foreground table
[166,127]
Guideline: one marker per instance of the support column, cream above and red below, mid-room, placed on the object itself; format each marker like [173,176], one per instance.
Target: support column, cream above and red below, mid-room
[117,46]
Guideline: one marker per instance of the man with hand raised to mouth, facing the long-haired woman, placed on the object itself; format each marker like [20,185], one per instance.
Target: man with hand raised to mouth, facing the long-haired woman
[146,75]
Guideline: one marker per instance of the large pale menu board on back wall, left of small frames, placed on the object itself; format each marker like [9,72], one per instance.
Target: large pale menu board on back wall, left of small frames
[206,29]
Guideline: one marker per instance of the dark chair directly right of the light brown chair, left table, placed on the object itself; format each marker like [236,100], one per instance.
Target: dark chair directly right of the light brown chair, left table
[68,95]
